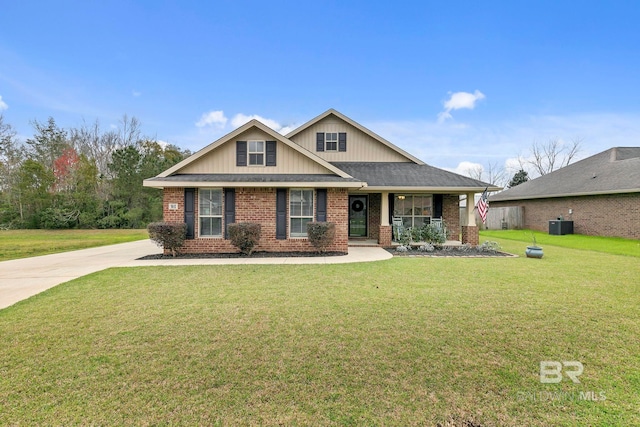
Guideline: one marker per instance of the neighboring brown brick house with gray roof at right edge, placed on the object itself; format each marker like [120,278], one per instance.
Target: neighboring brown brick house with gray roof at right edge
[600,194]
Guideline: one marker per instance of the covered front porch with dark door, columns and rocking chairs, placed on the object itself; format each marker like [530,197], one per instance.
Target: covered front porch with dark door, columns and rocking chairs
[375,218]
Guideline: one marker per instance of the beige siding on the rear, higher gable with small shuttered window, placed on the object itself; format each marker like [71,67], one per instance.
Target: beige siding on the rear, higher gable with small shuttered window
[360,146]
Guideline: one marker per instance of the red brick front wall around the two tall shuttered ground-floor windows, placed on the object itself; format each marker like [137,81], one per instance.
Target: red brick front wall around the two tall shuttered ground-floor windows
[259,205]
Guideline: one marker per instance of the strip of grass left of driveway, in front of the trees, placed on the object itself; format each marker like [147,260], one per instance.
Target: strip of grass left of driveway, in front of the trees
[16,244]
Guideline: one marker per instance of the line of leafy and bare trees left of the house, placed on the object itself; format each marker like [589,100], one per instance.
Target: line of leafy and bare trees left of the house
[83,177]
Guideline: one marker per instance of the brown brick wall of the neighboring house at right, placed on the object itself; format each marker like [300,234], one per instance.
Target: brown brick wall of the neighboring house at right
[614,215]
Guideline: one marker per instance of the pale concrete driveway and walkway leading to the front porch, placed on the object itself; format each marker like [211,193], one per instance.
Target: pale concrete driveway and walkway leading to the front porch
[23,278]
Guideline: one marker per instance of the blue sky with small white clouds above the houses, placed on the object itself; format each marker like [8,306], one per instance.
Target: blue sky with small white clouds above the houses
[456,83]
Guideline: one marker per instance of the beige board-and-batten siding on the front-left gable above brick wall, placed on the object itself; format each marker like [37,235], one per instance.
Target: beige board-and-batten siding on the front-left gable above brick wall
[223,159]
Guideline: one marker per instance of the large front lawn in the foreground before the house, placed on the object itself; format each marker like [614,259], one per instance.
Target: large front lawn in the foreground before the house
[416,341]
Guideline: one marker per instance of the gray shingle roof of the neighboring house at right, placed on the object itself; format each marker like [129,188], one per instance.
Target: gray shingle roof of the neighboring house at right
[616,170]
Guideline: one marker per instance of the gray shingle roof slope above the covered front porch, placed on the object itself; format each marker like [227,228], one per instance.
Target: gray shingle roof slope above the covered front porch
[399,174]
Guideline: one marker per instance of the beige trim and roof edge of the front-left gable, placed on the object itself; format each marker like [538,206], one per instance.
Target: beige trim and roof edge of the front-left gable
[252,124]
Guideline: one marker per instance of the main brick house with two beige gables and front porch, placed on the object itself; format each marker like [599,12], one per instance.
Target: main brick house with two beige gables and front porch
[329,169]
